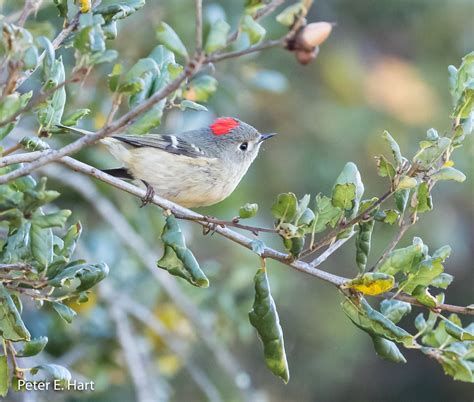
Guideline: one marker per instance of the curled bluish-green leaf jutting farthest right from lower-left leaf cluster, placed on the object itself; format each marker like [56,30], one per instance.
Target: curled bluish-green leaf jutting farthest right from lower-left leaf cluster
[80,277]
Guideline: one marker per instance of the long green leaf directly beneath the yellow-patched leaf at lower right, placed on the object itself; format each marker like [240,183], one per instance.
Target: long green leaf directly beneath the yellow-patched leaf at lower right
[373,322]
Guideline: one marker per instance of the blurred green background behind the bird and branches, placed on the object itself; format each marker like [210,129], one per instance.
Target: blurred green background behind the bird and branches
[384,67]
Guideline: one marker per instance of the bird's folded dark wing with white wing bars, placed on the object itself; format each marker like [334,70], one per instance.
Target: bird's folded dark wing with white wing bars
[168,143]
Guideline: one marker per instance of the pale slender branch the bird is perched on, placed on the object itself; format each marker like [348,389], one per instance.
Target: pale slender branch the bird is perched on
[238,238]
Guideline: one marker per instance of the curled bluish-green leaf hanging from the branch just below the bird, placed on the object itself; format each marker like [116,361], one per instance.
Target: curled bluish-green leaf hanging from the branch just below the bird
[178,260]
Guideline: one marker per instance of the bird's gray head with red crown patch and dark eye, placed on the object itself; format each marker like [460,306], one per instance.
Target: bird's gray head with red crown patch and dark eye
[232,140]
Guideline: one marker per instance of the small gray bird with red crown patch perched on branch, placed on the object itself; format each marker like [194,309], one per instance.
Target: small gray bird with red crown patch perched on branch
[195,168]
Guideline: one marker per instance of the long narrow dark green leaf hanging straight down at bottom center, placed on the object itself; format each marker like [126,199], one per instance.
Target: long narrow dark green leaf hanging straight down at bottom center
[264,317]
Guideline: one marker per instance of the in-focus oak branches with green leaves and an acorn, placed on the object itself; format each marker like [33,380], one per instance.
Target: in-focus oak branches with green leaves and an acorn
[36,252]
